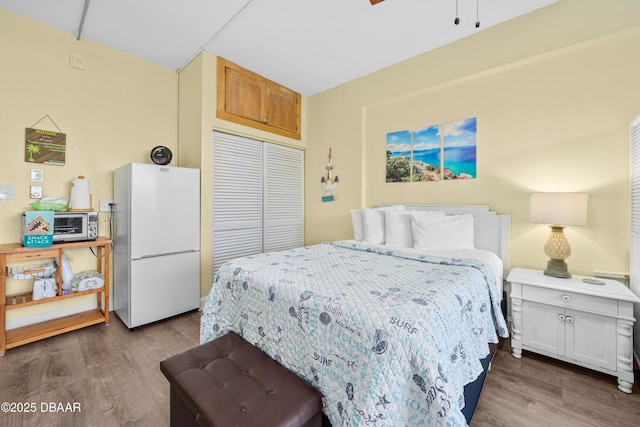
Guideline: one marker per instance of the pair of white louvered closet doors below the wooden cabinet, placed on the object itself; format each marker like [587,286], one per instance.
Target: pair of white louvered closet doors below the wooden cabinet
[258,197]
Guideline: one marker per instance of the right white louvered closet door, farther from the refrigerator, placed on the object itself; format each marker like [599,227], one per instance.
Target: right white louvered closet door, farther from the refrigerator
[283,197]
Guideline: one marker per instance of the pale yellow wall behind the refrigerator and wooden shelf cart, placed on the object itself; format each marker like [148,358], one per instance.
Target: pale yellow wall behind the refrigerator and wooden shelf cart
[113,113]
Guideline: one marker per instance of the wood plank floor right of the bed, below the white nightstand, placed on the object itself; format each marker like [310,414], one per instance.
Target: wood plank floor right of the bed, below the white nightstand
[539,391]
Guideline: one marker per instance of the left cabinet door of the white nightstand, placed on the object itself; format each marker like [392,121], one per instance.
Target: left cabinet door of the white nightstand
[542,328]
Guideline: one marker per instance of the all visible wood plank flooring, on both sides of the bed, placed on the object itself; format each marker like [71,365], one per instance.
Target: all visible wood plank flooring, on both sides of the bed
[114,376]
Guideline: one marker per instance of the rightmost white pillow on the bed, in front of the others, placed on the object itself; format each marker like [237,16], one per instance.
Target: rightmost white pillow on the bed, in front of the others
[442,231]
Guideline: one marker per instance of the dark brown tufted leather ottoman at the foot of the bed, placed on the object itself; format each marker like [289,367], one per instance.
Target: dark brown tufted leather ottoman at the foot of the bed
[229,382]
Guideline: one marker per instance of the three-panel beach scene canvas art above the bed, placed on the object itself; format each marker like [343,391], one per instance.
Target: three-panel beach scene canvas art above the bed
[438,152]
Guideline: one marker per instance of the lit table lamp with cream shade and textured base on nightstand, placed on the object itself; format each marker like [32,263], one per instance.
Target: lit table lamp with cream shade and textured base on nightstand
[558,210]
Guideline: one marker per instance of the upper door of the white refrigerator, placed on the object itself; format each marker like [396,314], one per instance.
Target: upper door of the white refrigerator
[165,210]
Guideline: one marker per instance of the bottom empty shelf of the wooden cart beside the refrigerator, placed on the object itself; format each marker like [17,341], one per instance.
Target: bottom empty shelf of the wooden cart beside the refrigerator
[38,331]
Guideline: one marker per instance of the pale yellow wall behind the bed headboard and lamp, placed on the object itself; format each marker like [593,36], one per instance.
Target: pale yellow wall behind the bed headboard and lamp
[553,92]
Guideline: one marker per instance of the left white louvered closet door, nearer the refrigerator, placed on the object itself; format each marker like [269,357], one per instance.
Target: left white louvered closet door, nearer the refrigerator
[237,197]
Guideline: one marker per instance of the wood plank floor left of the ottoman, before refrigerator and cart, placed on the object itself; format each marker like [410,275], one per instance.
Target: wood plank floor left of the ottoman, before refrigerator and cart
[113,373]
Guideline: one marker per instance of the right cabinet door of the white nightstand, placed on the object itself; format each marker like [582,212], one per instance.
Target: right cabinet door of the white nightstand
[591,338]
